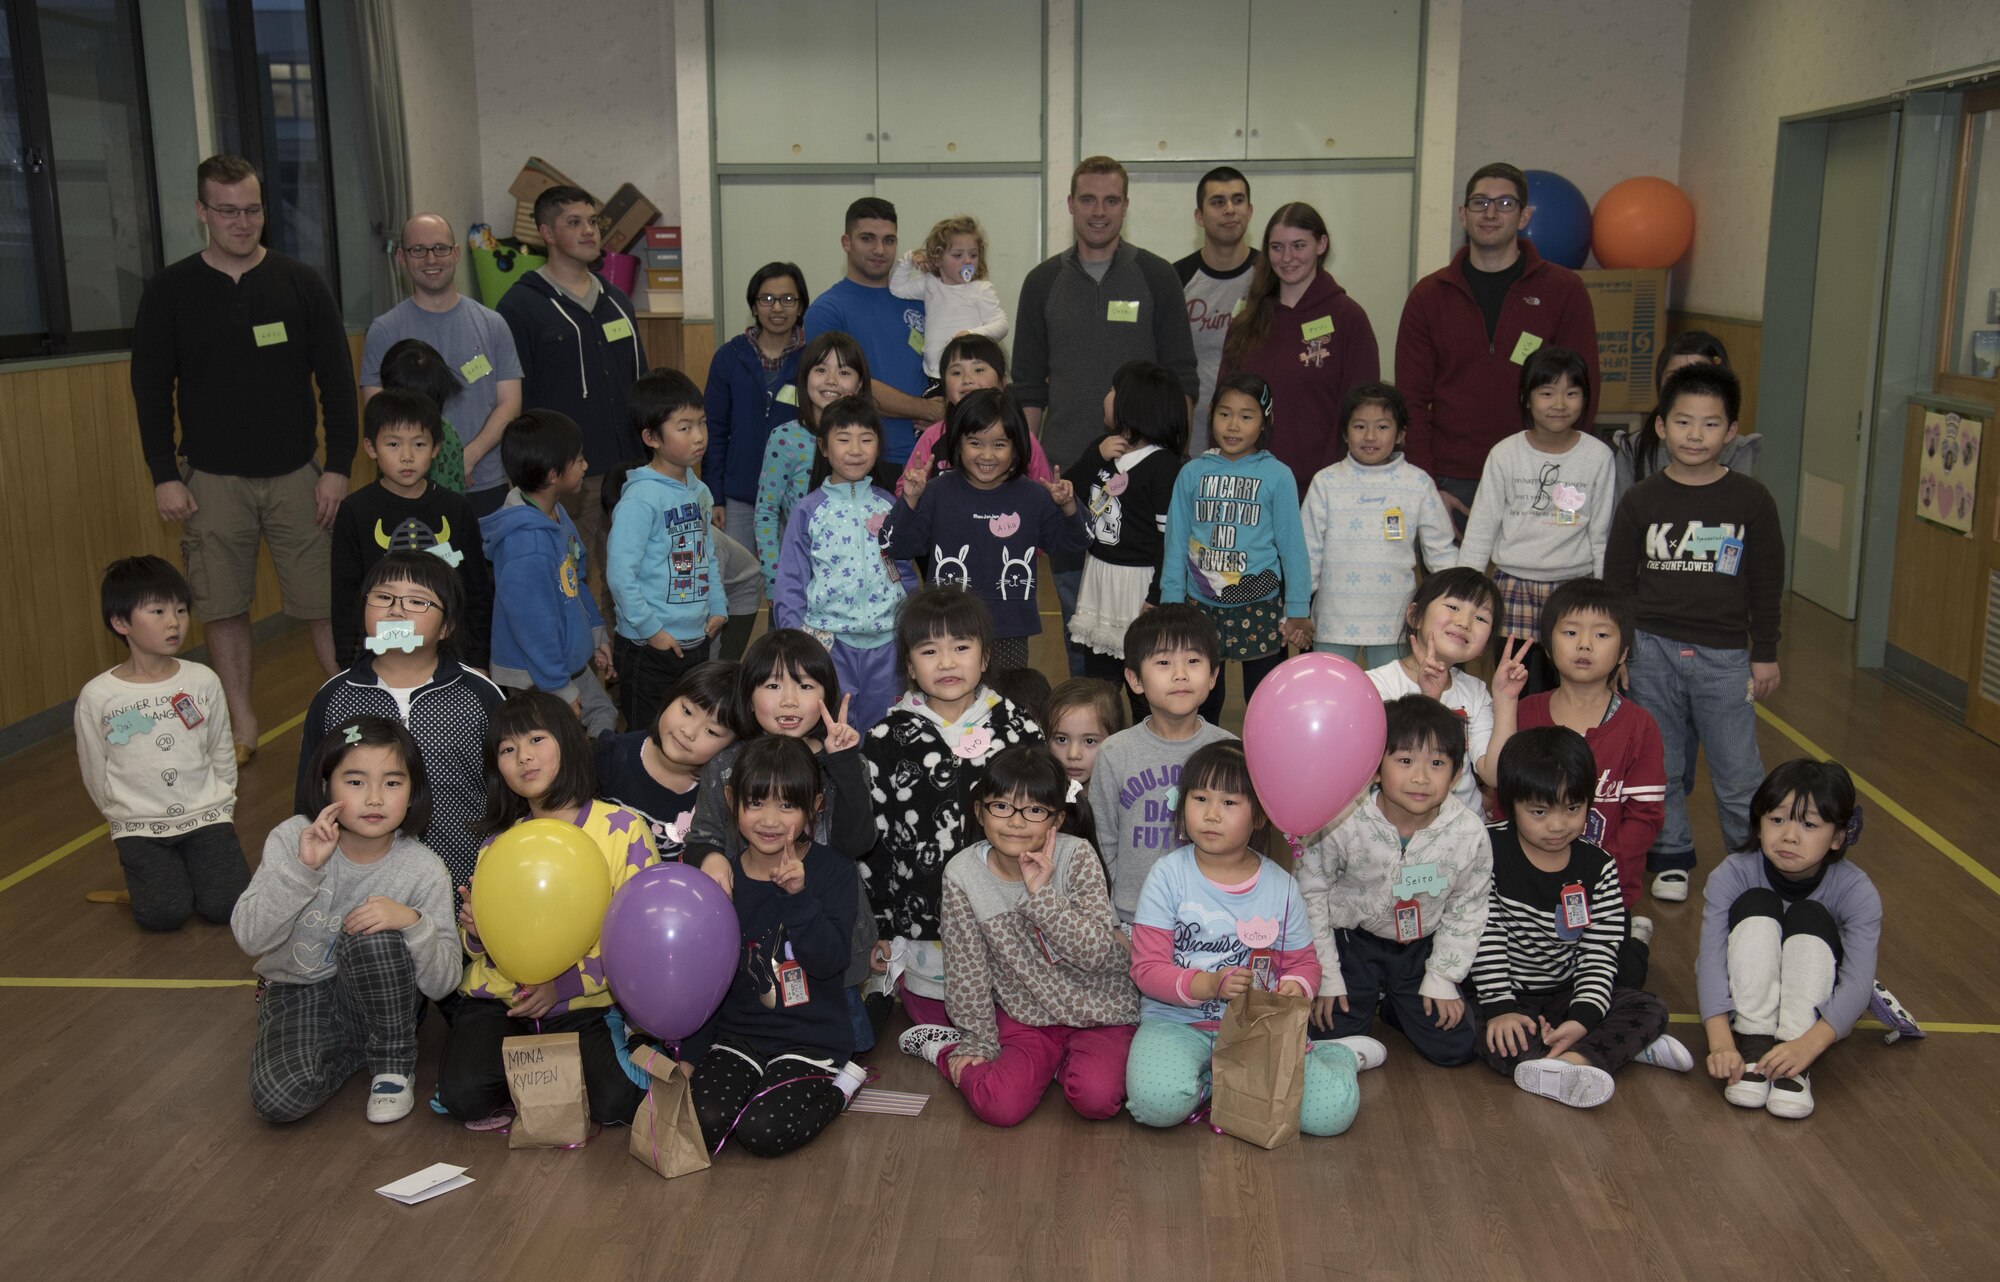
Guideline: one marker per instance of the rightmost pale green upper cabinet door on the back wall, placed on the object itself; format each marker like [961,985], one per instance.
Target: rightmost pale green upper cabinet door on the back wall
[1333,79]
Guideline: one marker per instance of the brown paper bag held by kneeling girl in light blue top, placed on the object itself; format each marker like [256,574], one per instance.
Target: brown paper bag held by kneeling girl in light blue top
[1261,1069]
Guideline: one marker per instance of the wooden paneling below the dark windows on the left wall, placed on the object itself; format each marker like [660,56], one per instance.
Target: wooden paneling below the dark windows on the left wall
[75,495]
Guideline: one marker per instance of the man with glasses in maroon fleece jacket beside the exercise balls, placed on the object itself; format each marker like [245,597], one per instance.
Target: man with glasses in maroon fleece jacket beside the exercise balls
[1471,325]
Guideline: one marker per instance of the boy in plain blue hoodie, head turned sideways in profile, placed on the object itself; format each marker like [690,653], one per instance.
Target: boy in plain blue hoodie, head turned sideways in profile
[547,631]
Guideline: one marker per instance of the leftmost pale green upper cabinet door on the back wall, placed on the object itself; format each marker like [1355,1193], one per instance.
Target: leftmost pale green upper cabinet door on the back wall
[795,81]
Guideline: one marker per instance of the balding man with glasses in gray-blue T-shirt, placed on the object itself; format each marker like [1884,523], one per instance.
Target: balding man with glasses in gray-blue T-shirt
[473,341]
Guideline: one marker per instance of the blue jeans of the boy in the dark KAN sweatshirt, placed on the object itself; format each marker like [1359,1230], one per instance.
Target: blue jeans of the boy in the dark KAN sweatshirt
[1699,695]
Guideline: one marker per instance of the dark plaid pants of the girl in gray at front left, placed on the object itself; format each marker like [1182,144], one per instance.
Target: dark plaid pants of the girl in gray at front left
[315,1037]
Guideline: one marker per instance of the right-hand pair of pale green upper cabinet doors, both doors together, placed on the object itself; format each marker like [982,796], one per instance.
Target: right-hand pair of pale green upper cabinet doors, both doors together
[1251,79]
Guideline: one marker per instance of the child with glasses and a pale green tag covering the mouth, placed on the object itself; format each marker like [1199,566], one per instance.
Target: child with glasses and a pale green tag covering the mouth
[407,671]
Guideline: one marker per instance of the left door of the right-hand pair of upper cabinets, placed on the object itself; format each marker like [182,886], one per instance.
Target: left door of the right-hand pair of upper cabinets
[1163,79]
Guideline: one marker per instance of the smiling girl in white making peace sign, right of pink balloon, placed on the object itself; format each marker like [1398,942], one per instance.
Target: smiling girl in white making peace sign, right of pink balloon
[1451,623]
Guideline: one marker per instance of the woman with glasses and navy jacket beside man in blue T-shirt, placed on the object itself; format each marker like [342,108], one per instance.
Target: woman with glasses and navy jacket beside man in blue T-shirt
[751,391]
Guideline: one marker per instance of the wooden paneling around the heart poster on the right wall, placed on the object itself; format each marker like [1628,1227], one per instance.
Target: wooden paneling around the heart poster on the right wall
[1937,597]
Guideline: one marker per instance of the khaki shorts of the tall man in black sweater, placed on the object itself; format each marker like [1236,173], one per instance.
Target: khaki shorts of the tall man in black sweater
[219,543]
